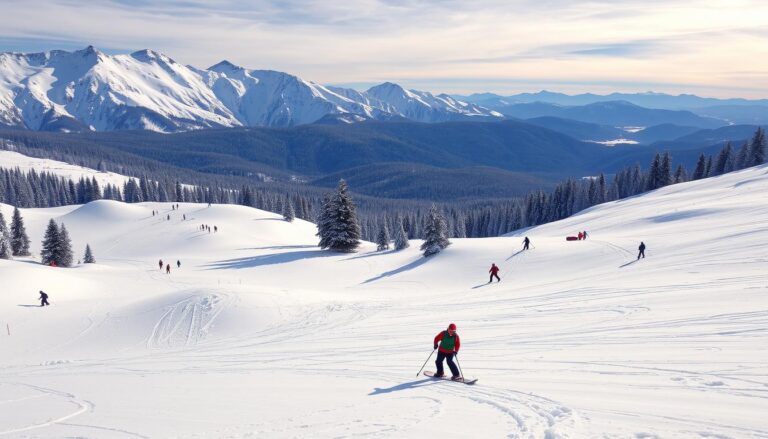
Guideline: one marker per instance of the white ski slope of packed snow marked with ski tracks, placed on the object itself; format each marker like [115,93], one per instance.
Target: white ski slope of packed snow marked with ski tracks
[261,334]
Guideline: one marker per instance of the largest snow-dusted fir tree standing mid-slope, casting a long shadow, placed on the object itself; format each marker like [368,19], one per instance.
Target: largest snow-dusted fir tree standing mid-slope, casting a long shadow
[338,226]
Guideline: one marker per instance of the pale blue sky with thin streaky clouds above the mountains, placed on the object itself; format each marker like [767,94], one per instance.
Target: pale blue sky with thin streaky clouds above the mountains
[704,47]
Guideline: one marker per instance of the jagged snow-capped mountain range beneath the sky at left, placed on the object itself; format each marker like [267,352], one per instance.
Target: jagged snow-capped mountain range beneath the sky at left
[90,90]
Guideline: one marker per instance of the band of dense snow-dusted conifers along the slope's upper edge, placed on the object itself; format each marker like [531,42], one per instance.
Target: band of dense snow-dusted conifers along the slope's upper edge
[483,218]
